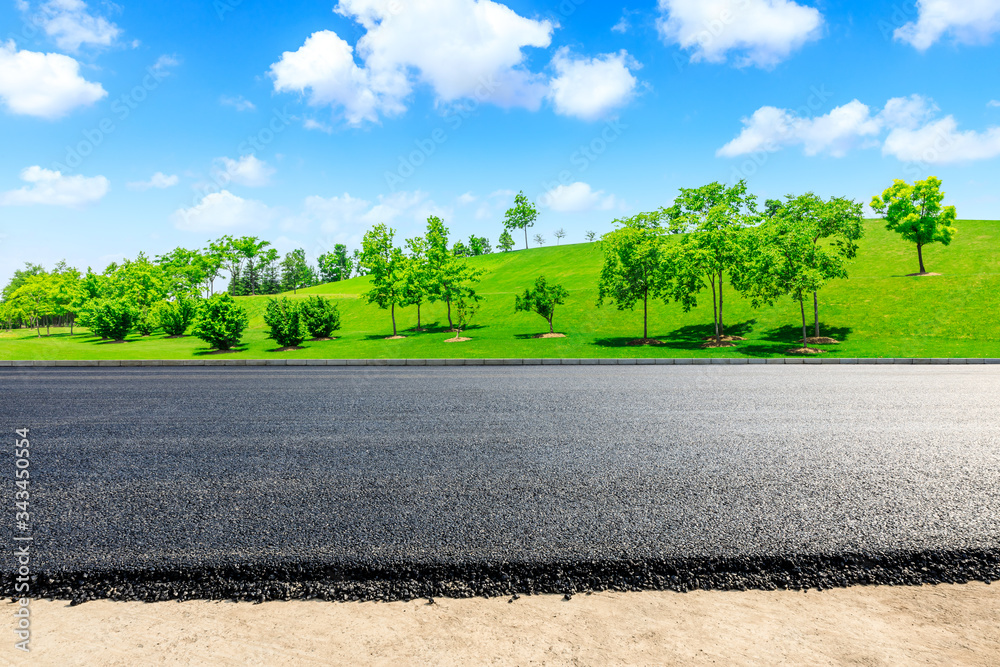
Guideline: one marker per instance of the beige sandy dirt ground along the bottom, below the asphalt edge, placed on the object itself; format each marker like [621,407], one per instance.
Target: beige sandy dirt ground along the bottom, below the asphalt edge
[941,625]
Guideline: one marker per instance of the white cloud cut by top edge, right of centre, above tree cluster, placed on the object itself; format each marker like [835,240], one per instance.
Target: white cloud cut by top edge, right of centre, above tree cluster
[761,32]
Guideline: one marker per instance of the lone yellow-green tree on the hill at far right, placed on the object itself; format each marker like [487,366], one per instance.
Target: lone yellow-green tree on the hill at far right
[915,213]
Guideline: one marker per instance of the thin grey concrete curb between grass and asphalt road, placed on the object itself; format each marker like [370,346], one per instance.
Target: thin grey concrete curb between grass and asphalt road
[487,362]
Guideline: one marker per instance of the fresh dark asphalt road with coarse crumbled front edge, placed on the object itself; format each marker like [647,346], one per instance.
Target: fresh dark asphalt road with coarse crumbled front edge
[402,483]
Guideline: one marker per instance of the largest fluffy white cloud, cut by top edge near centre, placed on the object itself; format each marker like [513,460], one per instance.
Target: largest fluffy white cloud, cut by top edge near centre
[460,48]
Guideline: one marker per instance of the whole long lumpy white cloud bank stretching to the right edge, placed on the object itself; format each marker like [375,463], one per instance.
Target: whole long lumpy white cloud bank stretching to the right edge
[912,134]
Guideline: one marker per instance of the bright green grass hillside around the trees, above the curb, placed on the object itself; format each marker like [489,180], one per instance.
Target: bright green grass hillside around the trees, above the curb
[878,312]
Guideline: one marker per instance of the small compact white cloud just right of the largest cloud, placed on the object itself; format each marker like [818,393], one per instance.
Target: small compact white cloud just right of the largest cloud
[590,88]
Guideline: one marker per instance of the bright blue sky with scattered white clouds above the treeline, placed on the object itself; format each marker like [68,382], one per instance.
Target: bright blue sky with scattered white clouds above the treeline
[144,126]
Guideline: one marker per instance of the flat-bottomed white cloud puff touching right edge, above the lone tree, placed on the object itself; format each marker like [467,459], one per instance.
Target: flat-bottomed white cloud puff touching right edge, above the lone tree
[940,142]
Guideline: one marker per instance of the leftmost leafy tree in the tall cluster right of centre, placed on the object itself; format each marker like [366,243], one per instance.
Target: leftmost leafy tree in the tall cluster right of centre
[633,265]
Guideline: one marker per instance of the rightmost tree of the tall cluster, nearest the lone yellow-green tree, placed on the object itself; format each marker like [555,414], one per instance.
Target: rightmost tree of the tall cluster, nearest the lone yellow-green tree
[838,224]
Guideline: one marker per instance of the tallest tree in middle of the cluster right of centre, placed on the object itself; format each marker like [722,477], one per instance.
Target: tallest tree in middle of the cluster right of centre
[712,219]
